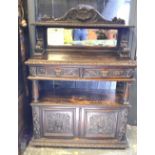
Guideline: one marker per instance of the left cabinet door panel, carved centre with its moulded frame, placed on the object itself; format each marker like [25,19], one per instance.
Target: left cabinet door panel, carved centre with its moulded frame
[59,122]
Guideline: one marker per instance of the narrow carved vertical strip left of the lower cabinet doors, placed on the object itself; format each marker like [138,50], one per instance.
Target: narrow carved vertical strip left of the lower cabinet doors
[36,122]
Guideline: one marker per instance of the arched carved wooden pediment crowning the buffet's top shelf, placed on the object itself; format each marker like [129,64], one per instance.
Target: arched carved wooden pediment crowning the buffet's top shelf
[84,14]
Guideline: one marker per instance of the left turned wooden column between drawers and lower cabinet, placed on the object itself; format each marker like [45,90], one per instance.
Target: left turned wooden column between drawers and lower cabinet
[35,89]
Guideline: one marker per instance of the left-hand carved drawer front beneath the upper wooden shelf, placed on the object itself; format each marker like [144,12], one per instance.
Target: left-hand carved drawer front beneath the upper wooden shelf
[54,72]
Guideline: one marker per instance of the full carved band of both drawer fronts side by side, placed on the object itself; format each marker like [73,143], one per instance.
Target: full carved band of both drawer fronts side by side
[77,72]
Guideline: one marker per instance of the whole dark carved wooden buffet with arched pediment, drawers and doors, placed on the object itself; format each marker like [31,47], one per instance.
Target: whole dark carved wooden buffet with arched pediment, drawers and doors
[74,117]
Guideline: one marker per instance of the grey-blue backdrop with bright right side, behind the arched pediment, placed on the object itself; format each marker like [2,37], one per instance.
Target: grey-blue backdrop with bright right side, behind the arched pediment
[107,8]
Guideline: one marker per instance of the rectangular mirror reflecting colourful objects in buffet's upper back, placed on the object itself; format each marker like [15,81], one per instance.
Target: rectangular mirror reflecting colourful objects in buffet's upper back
[82,37]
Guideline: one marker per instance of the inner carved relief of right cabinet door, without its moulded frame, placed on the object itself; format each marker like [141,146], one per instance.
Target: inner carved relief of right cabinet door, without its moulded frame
[102,123]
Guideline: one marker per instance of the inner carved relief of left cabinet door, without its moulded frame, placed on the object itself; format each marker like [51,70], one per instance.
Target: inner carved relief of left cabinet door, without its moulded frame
[58,122]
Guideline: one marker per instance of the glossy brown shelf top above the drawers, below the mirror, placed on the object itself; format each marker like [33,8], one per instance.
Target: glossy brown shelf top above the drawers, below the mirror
[81,59]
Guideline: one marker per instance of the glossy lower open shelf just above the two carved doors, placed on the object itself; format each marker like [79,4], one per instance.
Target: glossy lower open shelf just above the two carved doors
[76,97]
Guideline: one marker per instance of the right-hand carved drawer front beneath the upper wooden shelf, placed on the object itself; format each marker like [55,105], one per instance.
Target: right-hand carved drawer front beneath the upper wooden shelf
[108,73]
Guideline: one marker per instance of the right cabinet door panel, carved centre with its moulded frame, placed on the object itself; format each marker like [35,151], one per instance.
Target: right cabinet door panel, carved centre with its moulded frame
[99,123]
